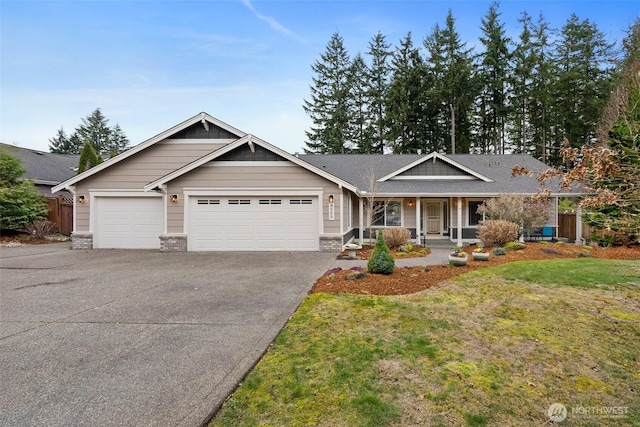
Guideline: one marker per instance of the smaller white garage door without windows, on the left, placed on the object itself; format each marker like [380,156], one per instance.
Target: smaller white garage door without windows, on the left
[128,222]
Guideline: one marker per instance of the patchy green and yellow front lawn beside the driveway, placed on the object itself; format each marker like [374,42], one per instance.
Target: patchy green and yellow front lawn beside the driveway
[495,347]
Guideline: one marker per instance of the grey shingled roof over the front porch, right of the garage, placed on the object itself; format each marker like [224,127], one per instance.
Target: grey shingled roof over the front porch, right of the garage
[487,174]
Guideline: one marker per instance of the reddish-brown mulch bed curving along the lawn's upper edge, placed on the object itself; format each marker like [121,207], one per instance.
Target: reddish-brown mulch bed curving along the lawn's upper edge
[407,280]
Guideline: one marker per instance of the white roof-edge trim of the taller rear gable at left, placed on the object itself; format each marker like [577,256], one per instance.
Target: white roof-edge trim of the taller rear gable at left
[204,118]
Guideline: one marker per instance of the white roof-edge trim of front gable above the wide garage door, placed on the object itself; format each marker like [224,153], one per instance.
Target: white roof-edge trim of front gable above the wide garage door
[247,139]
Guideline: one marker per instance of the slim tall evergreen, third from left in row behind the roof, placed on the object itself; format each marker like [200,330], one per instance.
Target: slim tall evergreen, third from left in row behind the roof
[378,88]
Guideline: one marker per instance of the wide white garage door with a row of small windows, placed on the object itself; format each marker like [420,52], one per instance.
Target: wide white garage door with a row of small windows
[253,224]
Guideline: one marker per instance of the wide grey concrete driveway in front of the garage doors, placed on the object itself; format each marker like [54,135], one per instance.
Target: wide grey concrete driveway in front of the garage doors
[114,337]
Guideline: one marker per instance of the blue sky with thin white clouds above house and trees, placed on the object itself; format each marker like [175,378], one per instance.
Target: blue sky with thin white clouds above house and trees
[149,65]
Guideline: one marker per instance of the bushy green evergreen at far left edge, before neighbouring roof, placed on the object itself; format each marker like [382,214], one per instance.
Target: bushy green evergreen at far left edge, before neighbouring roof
[20,202]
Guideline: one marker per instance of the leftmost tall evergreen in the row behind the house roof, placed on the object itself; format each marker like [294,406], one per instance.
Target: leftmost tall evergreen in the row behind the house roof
[329,104]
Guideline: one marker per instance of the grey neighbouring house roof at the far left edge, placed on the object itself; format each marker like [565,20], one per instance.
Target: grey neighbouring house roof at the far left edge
[42,167]
